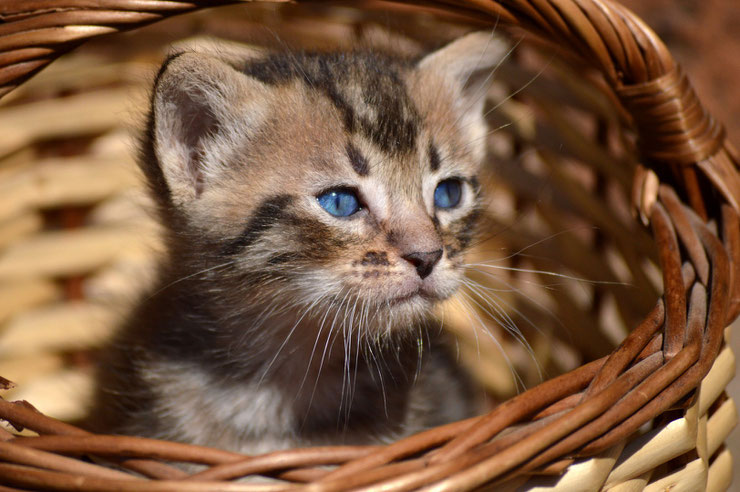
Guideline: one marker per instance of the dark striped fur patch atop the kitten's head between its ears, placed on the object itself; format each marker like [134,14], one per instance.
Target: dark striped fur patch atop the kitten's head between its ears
[367,90]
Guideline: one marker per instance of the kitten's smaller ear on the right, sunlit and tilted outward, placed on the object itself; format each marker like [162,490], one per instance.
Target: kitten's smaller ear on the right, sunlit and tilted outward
[466,63]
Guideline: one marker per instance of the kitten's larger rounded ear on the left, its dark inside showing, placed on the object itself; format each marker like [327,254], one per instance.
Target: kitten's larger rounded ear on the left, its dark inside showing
[202,107]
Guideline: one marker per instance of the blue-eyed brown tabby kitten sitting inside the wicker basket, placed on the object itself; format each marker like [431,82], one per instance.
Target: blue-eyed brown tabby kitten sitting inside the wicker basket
[317,206]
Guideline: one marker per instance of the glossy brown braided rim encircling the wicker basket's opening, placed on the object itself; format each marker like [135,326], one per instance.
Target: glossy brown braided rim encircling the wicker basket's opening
[671,369]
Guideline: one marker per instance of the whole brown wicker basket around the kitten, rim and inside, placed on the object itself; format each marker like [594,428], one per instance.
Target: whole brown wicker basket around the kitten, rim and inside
[594,121]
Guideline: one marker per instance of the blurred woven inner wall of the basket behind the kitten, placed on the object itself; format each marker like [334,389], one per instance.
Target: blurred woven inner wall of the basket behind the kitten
[558,275]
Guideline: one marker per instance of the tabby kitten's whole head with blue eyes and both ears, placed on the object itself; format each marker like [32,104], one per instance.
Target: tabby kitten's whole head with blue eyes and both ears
[345,180]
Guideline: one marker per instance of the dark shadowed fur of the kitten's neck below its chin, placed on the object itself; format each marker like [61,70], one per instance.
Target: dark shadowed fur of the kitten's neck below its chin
[317,366]
